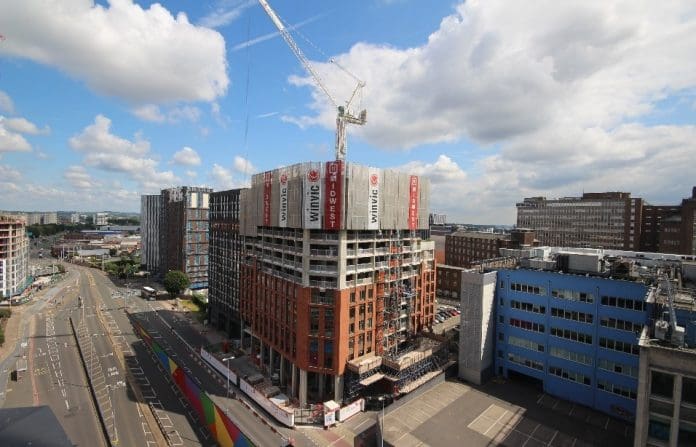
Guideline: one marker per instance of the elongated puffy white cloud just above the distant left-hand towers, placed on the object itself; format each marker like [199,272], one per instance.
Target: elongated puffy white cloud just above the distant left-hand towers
[106,151]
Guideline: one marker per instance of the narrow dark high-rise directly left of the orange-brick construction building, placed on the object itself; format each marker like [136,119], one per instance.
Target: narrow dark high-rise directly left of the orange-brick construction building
[224,261]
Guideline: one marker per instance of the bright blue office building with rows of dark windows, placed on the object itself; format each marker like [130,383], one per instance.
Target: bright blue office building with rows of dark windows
[576,334]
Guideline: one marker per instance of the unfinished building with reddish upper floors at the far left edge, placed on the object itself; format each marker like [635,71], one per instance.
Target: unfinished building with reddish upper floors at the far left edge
[14,255]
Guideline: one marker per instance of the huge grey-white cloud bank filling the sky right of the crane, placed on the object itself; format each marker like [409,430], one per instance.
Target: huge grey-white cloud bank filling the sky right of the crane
[554,94]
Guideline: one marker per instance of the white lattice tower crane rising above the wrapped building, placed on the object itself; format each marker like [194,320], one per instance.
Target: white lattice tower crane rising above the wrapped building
[344,115]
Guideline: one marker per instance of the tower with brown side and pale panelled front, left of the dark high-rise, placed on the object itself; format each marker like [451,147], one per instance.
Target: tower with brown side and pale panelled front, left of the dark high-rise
[183,233]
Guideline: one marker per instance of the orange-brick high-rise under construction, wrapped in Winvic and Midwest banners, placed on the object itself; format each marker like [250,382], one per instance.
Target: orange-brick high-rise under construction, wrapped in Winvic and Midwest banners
[337,273]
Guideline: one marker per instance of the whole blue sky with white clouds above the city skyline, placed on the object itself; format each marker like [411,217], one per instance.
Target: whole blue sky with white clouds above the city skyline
[494,101]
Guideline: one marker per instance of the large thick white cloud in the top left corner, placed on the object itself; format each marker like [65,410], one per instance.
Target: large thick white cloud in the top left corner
[123,50]
